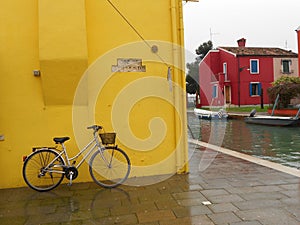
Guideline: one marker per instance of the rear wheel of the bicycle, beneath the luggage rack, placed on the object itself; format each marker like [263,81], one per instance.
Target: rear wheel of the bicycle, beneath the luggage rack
[32,170]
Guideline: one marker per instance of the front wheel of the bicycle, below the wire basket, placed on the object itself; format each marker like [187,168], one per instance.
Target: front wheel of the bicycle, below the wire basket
[109,167]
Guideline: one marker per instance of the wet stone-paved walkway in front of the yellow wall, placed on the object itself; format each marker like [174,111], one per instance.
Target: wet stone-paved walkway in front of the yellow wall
[226,190]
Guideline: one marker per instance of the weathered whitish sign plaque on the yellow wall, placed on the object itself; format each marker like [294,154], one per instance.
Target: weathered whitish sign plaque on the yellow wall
[129,65]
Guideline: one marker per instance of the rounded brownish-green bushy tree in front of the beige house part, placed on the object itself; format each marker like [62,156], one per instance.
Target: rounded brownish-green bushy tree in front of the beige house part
[287,88]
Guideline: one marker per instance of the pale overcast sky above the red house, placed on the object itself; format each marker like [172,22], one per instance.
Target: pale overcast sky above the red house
[264,23]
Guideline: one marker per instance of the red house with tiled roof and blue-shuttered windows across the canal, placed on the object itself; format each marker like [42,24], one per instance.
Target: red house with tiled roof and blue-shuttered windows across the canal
[241,75]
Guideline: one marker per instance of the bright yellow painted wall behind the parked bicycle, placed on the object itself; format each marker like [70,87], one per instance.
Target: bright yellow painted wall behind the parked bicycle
[75,44]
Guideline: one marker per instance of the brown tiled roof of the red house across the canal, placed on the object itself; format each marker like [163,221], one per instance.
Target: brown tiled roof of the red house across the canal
[253,51]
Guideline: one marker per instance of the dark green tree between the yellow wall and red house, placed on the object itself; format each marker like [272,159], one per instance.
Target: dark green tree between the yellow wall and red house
[192,78]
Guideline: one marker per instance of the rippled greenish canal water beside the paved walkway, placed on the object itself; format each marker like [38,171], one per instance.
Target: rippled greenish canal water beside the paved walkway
[276,144]
